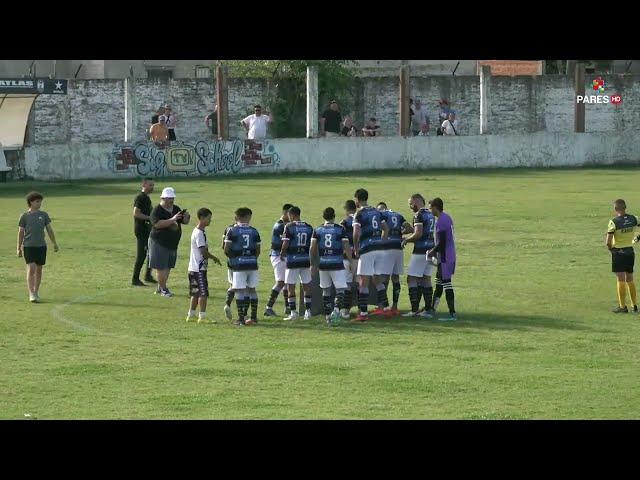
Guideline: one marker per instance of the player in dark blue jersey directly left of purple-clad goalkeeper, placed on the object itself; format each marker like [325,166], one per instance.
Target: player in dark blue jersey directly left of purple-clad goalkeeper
[420,269]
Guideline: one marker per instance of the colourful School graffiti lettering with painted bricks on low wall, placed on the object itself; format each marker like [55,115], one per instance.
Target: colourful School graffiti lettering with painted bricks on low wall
[218,157]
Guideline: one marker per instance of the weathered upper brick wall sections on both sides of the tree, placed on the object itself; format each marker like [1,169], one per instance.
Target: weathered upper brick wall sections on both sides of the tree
[93,110]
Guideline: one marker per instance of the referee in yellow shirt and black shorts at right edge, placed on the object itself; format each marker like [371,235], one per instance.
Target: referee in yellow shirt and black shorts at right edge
[620,240]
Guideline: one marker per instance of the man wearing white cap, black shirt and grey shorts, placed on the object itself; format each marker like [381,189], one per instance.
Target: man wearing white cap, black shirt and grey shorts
[166,220]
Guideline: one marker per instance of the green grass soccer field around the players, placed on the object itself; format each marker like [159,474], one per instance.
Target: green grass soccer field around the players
[535,337]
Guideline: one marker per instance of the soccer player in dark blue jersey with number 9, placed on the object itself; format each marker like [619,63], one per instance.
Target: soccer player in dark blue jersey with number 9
[392,253]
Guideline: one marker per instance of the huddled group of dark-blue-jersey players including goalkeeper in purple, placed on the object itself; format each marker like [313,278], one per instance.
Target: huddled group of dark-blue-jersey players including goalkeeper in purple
[362,251]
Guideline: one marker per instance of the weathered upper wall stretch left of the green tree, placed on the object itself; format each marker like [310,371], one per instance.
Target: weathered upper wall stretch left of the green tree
[93,110]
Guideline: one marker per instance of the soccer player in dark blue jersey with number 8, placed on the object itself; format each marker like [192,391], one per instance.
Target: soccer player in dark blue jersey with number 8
[329,242]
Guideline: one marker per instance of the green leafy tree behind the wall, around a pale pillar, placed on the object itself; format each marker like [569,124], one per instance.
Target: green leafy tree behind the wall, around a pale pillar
[286,98]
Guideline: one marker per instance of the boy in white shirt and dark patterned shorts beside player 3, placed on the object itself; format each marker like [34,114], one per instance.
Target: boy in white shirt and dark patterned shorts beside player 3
[198,283]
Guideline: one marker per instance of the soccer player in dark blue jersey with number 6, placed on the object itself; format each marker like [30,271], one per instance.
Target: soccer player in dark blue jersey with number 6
[368,231]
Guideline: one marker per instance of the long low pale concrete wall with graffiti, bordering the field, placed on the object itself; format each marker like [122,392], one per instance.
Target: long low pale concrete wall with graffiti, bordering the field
[213,158]
